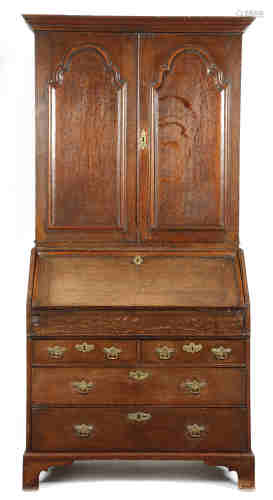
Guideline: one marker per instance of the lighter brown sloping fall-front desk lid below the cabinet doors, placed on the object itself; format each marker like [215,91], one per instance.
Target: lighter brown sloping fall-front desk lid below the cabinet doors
[117,281]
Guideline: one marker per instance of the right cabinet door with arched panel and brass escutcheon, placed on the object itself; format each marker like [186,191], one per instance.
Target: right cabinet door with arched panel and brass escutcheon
[188,185]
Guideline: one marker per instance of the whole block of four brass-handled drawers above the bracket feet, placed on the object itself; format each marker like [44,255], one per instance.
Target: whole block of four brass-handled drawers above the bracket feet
[94,393]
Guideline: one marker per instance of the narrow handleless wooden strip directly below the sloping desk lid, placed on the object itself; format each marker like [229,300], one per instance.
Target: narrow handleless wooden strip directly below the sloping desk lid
[137,322]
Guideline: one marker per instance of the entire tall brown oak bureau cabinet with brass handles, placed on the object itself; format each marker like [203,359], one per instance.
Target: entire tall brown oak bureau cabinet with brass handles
[138,317]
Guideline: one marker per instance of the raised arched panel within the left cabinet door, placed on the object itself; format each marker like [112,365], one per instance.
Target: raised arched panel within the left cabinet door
[87,157]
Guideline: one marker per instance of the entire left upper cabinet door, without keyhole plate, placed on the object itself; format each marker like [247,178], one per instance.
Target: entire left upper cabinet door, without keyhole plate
[86,138]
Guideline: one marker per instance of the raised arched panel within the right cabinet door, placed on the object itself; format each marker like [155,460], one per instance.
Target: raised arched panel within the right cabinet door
[188,145]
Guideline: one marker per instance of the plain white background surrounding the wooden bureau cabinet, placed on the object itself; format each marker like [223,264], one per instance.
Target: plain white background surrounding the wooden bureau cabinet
[135,480]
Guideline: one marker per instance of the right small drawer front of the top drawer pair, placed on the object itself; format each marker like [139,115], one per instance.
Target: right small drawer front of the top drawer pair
[194,351]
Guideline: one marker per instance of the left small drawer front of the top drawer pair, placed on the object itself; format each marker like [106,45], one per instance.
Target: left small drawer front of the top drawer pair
[111,352]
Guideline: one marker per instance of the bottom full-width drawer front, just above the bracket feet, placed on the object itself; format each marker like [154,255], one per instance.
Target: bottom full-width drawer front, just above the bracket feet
[139,428]
